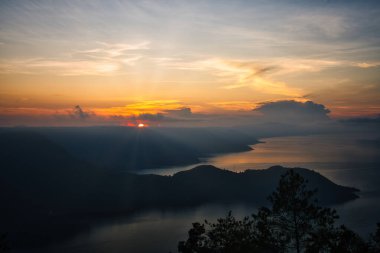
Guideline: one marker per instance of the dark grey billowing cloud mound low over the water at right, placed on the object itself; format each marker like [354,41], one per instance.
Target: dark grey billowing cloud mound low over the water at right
[293,110]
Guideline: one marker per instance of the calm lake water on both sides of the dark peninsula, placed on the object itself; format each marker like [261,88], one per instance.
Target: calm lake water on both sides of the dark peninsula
[347,160]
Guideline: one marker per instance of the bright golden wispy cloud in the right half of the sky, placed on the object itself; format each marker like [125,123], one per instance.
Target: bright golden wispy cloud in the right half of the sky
[262,76]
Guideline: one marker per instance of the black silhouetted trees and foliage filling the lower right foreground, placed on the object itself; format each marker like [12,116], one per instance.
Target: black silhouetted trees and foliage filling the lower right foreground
[294,223]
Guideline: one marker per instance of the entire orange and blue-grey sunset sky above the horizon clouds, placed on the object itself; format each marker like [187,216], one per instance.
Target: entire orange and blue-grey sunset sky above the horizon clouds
[125,62]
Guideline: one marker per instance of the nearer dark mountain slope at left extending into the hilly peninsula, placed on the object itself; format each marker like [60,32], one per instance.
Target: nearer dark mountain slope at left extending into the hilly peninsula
[45,190]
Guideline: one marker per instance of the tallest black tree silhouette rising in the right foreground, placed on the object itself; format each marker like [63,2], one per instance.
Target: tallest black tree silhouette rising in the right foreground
[297,218]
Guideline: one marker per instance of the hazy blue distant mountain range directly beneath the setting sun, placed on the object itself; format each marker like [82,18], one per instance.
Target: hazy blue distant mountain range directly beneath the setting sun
[126,148]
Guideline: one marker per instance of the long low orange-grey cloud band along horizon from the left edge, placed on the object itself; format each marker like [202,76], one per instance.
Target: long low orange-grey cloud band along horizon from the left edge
[289,112]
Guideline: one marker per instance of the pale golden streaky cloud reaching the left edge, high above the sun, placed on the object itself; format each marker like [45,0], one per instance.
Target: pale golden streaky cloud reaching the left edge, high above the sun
[104,60]
